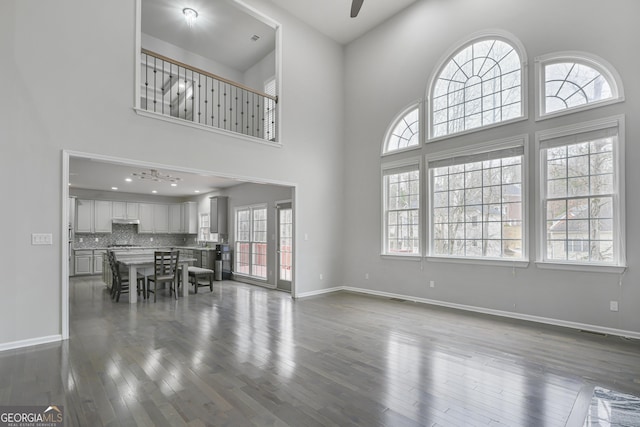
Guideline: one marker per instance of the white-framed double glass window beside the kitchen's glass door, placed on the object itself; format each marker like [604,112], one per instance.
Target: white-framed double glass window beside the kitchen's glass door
[251,241]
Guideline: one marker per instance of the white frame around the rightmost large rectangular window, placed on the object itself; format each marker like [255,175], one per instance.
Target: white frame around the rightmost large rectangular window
[619,228]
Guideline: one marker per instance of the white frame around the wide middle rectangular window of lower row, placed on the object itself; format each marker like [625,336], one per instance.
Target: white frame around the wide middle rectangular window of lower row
[486,147]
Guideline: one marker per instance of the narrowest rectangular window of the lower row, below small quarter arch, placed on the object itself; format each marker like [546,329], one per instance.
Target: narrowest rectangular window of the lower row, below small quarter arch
[401,216]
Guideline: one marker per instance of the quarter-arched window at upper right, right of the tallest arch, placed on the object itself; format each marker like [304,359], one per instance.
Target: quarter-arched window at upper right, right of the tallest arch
[574,81]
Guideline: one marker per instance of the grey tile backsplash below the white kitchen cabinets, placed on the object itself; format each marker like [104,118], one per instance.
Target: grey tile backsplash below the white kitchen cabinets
[127,234]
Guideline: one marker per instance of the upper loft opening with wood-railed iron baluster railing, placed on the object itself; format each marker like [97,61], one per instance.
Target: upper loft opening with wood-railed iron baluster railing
[218,72]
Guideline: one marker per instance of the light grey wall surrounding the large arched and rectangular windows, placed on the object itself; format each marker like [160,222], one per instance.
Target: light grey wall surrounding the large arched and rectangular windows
[389,67]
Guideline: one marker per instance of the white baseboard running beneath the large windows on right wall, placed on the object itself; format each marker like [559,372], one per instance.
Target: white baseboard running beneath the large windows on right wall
[501,313]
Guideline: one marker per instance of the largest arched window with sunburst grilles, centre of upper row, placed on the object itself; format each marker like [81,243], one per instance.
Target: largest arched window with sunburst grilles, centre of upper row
[481,84]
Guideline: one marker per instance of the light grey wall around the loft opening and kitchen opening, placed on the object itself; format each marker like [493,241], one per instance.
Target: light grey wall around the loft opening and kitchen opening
[84,103]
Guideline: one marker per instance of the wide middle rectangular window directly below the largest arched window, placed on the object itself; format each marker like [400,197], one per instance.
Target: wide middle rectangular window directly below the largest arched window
[477,203]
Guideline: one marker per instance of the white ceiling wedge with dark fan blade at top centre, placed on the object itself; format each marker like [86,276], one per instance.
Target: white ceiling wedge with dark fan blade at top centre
[332,17]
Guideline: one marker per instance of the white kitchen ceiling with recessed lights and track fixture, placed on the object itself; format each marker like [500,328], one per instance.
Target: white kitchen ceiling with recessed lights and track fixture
[101,175]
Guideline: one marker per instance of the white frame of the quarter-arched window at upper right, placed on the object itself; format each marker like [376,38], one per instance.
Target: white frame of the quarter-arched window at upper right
[584,58]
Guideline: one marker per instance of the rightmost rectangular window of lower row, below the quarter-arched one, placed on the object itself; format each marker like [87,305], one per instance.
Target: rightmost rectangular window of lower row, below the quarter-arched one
[581,181]
